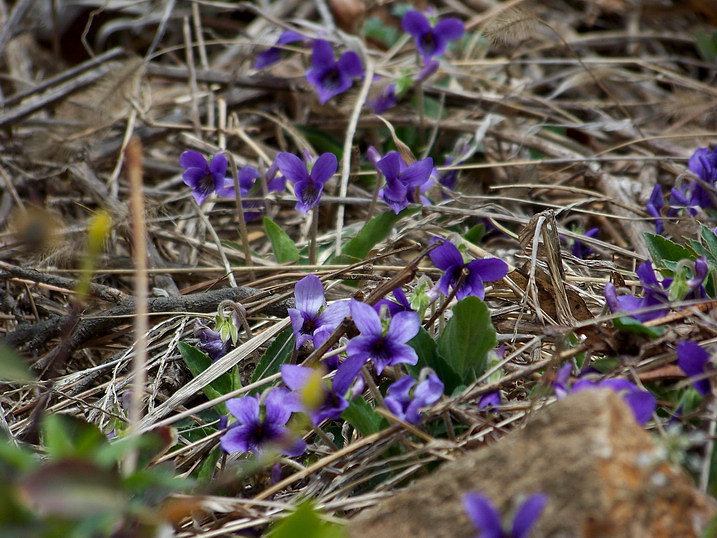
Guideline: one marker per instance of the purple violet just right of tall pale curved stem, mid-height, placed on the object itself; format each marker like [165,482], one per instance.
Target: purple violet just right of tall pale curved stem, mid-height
[401,179]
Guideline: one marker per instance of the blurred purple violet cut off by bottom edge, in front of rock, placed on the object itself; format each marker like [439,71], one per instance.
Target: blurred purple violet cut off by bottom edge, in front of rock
[488,521]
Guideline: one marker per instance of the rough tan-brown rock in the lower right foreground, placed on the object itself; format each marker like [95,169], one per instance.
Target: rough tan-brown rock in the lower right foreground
[604,475]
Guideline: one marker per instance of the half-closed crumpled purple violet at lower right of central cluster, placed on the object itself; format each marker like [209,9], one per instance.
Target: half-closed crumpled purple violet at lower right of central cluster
[406,397]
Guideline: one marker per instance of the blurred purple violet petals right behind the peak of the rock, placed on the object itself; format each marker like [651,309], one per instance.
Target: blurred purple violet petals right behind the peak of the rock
[641,402]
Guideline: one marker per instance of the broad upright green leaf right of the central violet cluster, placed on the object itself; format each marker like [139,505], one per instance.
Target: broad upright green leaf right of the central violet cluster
[467,338]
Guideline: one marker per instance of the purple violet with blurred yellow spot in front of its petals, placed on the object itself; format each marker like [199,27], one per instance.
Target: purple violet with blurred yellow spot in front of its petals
[346,385]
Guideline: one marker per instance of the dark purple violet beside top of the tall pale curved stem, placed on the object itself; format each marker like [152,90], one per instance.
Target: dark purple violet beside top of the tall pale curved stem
[329,76]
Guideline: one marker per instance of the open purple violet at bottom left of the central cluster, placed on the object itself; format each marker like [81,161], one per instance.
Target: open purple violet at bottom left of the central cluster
[261,425]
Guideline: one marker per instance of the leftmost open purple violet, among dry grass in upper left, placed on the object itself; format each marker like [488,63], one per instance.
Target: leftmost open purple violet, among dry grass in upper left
[205,178]
